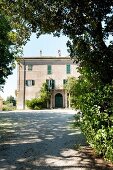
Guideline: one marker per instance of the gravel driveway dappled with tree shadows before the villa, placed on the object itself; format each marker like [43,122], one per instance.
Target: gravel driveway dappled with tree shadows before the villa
[43,140]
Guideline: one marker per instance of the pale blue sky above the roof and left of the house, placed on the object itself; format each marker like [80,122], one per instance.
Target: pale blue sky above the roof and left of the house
[49,46]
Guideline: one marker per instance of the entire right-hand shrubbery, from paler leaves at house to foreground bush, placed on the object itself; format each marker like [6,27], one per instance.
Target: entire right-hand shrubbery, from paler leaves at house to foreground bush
[96,105]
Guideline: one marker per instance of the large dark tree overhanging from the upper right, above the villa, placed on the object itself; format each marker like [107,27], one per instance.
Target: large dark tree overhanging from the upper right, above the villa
[88,24]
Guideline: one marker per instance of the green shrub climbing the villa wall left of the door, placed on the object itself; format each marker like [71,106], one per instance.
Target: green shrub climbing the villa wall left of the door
[41,102]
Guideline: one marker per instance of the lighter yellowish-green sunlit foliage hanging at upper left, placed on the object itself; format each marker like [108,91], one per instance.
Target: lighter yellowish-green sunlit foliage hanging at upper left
[20,31]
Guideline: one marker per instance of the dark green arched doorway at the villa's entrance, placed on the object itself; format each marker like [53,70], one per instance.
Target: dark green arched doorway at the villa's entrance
[58,100]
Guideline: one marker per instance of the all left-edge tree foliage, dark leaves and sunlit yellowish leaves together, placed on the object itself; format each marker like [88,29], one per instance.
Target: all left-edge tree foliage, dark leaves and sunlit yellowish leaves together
[12,36]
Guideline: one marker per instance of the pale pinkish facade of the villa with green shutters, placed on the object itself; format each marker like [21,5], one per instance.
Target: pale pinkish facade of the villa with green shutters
[34,71]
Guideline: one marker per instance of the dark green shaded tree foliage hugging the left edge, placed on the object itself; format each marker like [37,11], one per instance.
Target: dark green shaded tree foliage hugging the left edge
[6,55]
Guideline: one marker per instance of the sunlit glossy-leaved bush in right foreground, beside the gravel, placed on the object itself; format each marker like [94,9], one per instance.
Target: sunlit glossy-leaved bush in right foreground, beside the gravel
[98,120]
